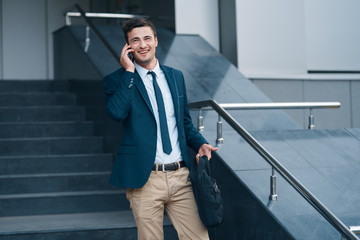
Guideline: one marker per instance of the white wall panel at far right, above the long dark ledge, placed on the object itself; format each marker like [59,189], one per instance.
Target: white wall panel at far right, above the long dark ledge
[333,34]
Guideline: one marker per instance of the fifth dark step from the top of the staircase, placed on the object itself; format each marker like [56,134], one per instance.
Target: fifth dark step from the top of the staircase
[48,146]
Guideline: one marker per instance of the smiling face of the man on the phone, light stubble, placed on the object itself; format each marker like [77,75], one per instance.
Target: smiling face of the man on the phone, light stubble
[144,43]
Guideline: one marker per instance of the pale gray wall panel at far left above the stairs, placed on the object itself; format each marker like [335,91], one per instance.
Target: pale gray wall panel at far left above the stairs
[24,41]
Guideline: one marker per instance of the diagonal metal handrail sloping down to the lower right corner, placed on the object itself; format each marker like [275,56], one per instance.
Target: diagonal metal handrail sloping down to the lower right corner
[304,192]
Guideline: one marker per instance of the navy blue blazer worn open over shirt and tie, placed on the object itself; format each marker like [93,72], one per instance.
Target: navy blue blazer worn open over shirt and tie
[127,101]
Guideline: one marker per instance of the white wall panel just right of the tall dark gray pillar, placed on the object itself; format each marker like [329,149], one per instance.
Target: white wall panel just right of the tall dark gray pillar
[271,37]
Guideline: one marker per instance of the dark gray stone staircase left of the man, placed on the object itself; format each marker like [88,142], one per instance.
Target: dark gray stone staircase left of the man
[53,169]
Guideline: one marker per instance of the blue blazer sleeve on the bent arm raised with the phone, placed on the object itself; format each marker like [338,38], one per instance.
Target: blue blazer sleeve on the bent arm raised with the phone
[118,93]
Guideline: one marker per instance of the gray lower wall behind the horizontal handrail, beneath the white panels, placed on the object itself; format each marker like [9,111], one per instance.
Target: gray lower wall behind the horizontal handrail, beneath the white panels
[345,91]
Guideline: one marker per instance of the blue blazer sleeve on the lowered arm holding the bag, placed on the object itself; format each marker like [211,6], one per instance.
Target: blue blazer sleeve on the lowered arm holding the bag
[194,139]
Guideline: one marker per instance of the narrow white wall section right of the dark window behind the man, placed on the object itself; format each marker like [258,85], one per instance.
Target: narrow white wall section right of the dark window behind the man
[198,17]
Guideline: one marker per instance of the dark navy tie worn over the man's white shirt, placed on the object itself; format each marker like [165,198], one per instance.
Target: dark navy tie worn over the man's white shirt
[162,116]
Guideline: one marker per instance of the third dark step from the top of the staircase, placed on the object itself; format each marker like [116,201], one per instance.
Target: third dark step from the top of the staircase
[41,113]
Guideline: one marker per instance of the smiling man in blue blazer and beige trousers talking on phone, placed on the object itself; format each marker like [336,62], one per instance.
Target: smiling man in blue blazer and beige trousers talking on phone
[152,161]
